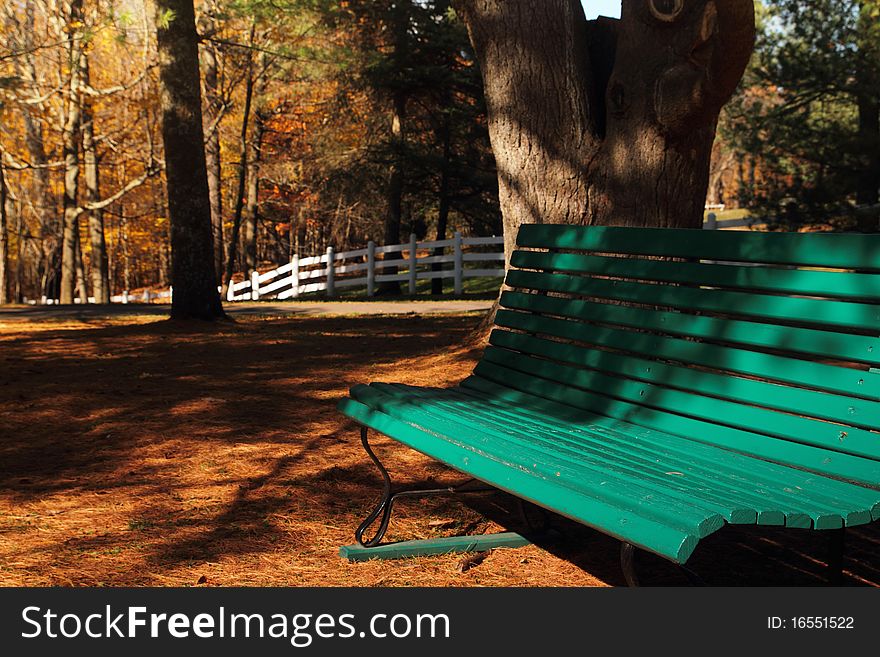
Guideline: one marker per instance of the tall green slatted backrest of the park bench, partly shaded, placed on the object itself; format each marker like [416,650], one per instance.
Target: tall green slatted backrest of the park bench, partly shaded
[762,343]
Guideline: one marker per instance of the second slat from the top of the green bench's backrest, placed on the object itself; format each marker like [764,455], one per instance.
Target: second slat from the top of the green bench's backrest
[773,279]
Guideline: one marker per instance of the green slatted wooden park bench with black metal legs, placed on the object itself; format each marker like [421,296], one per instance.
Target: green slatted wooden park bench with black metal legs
[657,384]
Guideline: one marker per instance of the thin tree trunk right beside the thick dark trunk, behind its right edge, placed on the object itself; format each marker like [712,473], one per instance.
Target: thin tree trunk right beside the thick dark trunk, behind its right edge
[214,111]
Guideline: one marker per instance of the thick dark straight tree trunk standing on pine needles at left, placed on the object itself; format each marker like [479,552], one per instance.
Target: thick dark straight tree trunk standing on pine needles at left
[189,205]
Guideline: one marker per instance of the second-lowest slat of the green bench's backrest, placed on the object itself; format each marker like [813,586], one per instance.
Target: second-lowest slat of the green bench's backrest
[833,437]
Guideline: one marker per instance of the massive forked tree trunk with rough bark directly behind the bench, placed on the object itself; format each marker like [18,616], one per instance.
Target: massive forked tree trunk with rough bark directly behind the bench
[607,121]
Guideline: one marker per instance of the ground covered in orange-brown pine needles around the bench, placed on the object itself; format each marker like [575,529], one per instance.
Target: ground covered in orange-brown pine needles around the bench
[136,452]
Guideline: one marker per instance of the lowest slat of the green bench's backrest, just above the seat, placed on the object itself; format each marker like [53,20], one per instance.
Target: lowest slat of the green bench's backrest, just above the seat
[821,461]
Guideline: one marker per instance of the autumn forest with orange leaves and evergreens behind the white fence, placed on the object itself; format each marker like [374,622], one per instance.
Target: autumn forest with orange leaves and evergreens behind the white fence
[331,123]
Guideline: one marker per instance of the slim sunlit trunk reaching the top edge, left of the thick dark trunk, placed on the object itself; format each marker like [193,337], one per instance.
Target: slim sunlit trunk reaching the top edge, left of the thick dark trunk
[70,147]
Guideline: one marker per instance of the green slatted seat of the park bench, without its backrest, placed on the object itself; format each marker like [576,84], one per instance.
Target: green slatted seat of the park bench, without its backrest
[655,490]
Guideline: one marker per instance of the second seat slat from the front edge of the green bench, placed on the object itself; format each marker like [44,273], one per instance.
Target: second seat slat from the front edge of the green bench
[692,516]
